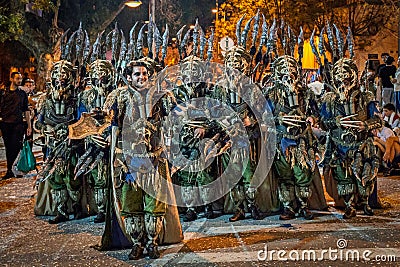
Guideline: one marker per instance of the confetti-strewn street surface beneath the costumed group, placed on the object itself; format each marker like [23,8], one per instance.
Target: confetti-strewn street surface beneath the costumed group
[328,240]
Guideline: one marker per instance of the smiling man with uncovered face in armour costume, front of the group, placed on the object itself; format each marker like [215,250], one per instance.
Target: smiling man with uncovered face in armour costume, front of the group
[143,202]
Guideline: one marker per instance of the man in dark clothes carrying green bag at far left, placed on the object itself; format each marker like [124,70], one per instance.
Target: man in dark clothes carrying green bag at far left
[13,105]
